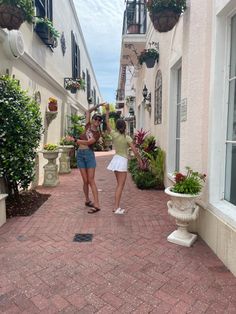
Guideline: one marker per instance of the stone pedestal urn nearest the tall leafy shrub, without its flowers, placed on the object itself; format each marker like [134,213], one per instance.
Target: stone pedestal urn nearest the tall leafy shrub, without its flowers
[51,177]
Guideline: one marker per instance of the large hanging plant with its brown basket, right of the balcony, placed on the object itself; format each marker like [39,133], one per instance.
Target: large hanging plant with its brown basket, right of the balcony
[164,14]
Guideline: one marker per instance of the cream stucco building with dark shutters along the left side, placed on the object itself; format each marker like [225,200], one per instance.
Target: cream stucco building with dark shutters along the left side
[41,68]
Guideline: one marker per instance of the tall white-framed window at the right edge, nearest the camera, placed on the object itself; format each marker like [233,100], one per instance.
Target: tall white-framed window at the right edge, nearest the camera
[230,173]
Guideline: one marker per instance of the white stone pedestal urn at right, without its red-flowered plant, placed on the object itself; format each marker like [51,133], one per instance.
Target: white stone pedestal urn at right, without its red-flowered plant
[183,208]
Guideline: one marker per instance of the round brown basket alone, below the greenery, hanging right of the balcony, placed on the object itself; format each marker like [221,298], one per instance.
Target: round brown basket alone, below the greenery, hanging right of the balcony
[164,20]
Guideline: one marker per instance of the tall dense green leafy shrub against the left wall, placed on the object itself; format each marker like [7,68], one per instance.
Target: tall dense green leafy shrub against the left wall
[20,133]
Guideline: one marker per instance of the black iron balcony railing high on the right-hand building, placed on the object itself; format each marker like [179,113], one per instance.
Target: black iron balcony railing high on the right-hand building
[135,17]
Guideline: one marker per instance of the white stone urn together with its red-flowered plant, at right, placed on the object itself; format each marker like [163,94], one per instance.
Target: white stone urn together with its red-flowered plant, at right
[182,205]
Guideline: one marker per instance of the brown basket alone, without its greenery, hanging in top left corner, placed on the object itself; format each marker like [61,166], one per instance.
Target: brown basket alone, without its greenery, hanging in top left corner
[11,17]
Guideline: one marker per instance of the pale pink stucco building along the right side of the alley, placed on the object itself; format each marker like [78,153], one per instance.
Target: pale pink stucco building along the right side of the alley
[193,106]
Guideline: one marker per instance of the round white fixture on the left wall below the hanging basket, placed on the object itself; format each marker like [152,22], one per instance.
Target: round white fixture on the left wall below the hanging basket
[13,44]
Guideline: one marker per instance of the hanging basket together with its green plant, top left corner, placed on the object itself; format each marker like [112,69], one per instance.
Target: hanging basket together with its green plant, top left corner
[14,12]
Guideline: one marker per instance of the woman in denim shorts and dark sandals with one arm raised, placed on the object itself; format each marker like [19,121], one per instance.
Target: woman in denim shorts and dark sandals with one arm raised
[86,161]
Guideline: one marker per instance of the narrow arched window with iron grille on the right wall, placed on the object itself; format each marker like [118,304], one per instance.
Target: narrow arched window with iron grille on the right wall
[158,99]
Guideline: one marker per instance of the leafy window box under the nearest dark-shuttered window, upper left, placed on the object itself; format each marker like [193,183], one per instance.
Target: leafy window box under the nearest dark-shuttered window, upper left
[46,31]
